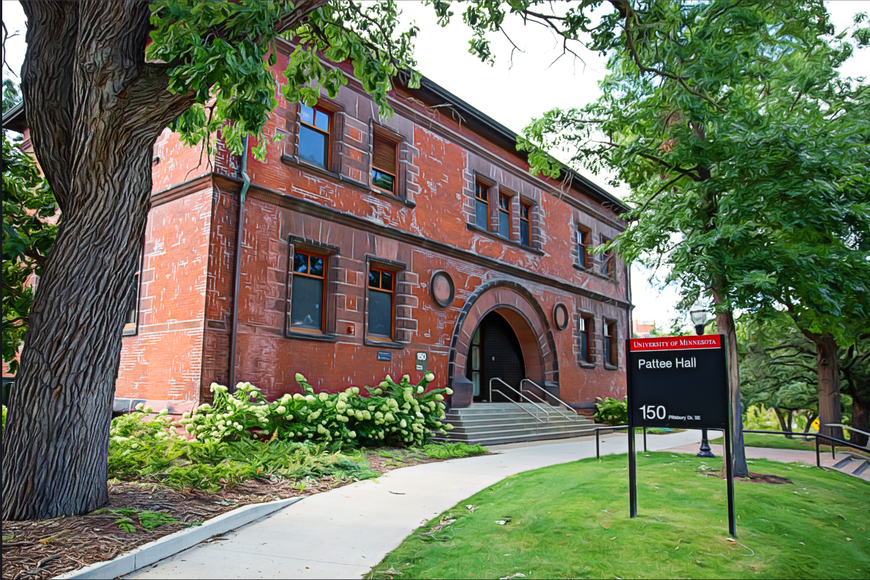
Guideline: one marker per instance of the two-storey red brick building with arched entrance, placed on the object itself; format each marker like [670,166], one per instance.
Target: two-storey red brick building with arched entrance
[364,241]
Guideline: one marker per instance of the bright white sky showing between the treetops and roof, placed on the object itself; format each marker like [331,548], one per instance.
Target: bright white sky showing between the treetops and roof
[520,86]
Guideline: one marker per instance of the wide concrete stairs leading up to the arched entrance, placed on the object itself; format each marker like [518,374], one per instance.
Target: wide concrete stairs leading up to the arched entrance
[498,423]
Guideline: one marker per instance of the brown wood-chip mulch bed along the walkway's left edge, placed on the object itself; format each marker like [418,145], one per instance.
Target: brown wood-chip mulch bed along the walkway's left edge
[47,548]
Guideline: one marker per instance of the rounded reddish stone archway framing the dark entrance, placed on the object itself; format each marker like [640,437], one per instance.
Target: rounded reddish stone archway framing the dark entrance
[525,316]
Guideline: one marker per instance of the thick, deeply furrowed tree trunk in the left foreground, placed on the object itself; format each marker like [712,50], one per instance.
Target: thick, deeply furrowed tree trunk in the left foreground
[94,108]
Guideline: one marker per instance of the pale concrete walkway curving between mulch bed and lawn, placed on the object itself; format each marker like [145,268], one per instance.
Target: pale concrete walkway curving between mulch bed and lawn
[344,532]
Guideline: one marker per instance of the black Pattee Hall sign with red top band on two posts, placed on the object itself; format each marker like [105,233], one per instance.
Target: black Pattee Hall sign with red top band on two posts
[678,382]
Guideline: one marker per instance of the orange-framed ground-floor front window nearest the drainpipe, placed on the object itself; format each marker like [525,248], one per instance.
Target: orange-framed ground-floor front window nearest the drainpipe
[307,311]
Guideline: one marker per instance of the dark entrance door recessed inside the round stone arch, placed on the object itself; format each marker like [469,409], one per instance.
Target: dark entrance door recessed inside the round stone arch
[495,352]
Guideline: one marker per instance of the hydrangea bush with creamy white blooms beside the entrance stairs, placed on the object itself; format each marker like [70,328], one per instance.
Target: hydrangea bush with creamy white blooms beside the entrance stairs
[392,414]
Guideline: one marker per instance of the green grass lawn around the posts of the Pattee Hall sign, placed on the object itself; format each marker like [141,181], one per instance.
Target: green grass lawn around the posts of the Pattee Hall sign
[571,521]
